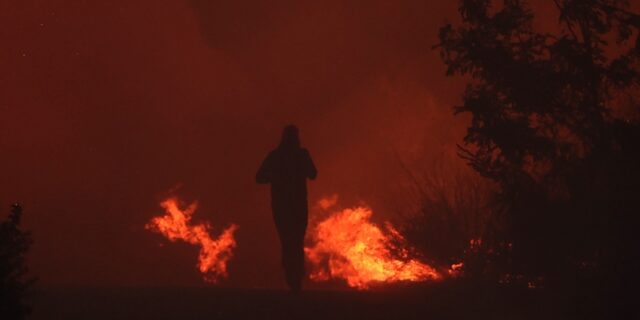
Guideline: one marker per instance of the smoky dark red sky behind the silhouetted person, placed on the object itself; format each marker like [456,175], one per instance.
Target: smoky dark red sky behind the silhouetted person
[107,105]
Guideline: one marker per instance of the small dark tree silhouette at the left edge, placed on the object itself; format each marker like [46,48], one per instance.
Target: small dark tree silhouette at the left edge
[14,281]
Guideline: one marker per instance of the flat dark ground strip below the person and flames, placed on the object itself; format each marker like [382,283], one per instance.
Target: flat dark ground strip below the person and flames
[433,302]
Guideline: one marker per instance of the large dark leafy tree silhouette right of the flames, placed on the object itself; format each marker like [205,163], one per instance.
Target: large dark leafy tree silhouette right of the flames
[551,127]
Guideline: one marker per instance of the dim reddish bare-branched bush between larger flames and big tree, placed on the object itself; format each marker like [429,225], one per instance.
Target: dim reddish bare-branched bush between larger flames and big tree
[453,223]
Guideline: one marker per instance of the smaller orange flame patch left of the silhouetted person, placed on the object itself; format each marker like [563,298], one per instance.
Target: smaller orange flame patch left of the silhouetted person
[176,225]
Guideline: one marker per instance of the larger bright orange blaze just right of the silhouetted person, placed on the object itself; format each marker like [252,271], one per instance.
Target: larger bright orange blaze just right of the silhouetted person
[349,246]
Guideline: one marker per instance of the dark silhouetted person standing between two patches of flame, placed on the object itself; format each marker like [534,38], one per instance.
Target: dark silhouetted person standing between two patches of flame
[287,169]
